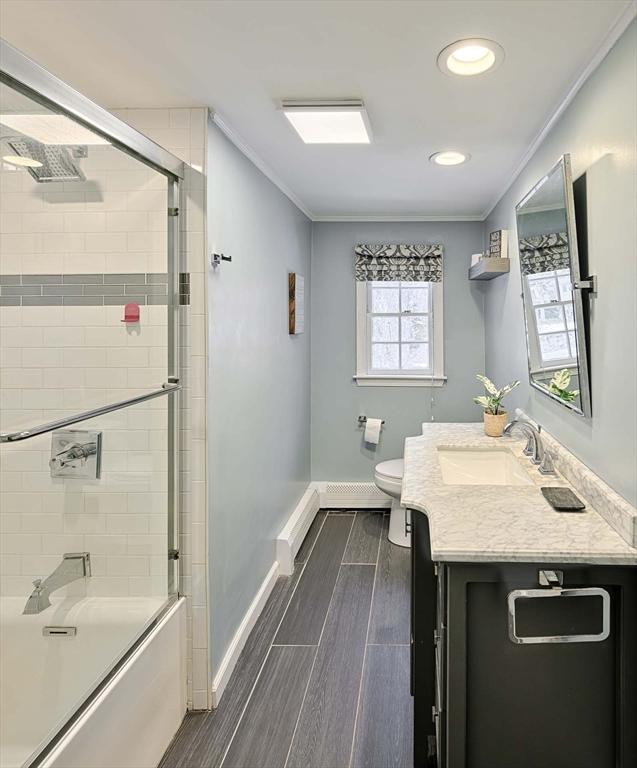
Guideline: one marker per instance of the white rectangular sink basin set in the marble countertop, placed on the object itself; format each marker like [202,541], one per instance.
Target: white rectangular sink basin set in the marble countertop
[481,466]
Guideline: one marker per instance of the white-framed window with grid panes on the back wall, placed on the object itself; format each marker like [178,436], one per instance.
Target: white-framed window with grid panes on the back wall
[399,333]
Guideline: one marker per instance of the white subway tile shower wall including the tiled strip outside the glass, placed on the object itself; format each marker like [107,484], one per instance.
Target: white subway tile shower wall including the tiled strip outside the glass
[61,359]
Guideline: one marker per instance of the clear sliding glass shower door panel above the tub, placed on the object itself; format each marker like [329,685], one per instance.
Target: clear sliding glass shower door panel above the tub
[89,390]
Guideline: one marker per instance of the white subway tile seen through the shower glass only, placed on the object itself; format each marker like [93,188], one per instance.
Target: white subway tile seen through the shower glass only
[60,357]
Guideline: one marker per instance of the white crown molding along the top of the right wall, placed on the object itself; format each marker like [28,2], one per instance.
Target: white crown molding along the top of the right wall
[615,32]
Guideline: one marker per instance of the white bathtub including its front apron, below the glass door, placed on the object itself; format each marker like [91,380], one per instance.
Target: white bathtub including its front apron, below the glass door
[44,678]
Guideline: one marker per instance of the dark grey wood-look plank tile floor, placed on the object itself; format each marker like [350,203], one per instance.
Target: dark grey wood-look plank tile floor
[323,680]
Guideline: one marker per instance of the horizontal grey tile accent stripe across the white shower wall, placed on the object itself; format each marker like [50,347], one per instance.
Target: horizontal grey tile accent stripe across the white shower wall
[97,289]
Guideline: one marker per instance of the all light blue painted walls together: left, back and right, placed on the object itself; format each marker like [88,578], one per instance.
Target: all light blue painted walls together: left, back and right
[261,410]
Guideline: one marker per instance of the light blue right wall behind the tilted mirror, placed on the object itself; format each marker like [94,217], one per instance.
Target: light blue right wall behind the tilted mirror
[598,130]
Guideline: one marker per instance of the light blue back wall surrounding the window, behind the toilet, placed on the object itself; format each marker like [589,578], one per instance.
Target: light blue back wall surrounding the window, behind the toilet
[338,452]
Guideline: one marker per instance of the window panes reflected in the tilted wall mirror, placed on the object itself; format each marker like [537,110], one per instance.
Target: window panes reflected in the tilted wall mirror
[552,321]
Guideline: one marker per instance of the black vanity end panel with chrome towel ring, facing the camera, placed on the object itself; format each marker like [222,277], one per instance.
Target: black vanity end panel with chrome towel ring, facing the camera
[540,705]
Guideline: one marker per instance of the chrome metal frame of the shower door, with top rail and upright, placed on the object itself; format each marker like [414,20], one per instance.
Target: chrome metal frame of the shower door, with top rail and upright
[26,76]
